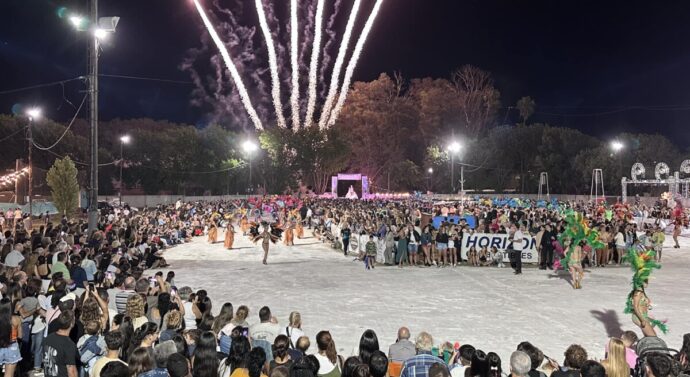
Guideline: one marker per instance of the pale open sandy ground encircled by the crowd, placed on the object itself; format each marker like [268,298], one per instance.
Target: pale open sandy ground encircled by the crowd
[490,308]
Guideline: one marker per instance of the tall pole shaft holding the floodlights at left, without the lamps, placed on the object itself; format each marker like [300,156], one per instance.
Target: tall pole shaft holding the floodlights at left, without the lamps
[93,93]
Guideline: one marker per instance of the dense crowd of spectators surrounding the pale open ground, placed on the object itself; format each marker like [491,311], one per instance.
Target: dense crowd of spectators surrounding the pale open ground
[76,304]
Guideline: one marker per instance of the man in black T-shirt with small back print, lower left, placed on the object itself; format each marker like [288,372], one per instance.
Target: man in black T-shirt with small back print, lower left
[60,354]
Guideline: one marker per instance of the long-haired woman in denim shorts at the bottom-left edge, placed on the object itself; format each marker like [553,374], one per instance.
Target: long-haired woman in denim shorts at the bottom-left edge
[10,332]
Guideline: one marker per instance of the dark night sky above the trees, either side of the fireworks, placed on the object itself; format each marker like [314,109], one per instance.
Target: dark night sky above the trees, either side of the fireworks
[599,66]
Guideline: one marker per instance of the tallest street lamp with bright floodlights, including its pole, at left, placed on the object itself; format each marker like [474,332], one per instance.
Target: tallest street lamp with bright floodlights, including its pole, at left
[99,28]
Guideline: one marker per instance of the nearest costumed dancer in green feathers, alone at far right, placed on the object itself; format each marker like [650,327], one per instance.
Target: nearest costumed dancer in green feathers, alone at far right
[639,304]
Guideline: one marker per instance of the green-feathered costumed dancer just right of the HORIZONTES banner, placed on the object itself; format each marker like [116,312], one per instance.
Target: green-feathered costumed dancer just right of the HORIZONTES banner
[578,236]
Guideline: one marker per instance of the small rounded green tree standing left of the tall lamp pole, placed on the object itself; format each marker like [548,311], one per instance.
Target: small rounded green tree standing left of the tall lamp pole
[62,179]
